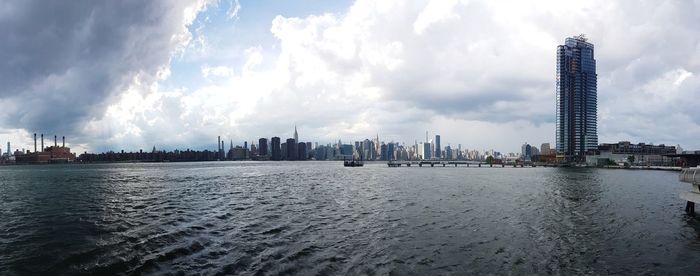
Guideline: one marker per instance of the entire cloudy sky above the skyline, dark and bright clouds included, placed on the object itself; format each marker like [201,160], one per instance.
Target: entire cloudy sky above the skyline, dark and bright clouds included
[113,75]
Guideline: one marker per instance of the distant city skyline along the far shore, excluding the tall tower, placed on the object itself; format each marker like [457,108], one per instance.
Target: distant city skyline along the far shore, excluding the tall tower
[376,149]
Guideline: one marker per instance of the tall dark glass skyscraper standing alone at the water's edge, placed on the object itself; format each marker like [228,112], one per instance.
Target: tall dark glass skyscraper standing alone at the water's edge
[576,117]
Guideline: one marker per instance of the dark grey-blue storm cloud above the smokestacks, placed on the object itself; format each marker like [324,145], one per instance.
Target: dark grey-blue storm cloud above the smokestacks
[64,60]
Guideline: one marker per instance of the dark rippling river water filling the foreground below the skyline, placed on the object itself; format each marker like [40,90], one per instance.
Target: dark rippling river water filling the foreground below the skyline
[321,218]
